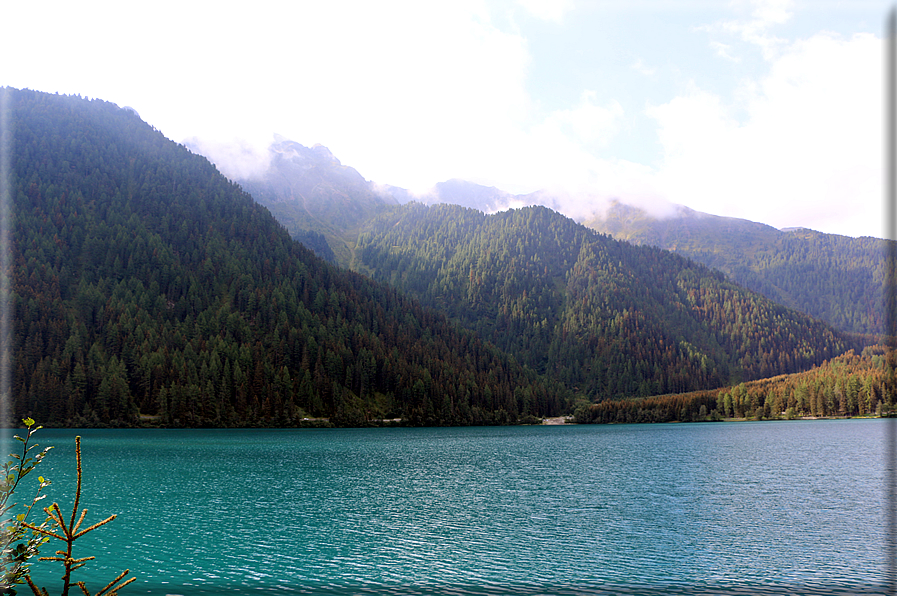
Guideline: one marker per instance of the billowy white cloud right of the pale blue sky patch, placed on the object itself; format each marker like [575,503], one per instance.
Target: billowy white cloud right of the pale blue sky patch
[809,152]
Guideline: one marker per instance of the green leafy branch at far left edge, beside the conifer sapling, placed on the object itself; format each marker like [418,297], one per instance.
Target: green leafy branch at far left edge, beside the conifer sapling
[20,540]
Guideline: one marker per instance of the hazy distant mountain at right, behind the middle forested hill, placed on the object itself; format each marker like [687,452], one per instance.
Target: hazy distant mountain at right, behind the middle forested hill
[834,278]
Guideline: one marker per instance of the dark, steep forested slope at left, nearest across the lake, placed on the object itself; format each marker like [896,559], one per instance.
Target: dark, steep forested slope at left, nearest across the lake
[145,282]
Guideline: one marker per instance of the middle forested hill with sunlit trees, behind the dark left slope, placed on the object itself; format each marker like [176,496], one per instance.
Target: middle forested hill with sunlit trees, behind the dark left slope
[605,317]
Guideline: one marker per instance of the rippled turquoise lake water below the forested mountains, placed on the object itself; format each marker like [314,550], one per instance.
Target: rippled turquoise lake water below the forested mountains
[731,508]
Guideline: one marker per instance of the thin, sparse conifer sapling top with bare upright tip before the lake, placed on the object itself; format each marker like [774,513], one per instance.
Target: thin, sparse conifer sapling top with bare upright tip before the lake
[69,533]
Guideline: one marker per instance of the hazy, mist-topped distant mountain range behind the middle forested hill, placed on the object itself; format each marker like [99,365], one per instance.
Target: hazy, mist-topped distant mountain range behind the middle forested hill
[834,278]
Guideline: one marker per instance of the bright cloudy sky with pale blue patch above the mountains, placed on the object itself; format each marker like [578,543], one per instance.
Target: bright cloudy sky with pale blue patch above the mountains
[768,110]
